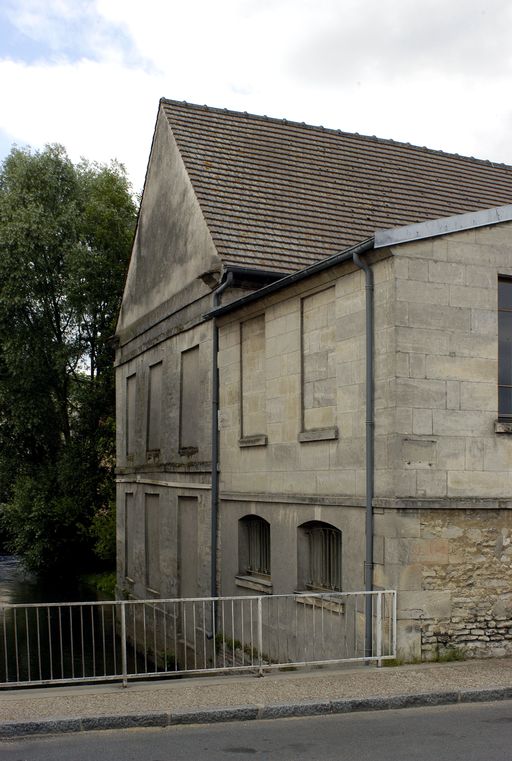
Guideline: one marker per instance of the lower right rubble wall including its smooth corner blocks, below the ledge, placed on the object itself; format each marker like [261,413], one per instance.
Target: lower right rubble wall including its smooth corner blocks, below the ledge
[454,570]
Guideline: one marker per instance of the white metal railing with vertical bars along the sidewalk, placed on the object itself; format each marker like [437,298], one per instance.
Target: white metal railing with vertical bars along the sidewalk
[129,639]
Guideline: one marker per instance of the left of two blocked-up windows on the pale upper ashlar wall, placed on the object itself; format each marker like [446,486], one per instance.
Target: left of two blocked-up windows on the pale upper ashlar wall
[252,341]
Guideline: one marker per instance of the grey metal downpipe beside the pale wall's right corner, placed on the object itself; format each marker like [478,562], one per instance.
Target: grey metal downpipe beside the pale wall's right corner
[370,440]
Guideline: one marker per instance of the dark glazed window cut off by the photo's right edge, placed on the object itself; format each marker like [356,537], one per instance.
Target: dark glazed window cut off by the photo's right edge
[505,348]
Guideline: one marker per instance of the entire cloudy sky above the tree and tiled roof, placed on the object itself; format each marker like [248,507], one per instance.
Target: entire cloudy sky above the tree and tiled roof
[89,73]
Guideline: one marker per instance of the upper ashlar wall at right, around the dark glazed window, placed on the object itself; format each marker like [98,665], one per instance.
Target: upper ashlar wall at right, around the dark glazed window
[446,338]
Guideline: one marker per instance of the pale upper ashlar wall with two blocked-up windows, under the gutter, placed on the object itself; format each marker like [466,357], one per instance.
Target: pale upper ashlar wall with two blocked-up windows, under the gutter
[312,388]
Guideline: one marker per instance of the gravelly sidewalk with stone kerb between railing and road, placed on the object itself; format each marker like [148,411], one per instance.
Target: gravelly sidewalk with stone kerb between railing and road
[229,698]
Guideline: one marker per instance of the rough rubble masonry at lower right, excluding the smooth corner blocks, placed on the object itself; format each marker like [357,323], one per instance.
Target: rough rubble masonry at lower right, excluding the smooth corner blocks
[476,576]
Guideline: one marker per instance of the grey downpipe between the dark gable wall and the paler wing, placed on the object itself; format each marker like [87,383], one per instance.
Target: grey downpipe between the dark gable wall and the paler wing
[215,438]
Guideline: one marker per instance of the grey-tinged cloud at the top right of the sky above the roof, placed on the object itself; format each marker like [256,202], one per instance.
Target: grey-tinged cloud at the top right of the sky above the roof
[398,38]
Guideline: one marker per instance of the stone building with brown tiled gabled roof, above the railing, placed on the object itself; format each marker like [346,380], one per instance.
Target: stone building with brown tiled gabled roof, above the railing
[355,295]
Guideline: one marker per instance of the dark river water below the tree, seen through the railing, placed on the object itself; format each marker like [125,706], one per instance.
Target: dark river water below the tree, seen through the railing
[52,643]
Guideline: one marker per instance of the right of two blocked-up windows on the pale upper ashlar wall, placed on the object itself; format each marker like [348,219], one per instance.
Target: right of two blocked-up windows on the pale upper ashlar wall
[319,361]
